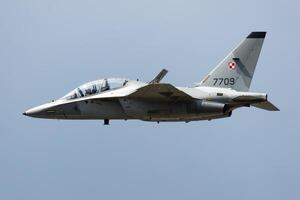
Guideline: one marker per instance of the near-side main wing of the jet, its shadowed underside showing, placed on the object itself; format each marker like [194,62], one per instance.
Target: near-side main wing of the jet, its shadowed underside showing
[161,92]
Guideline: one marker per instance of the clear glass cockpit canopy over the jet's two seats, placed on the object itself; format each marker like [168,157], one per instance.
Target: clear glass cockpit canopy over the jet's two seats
[95,87]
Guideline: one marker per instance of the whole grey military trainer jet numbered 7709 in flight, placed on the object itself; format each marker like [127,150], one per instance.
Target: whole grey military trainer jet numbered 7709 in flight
[224,89]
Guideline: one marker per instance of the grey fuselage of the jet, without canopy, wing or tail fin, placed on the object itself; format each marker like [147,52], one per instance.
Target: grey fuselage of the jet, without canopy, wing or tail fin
[208,103]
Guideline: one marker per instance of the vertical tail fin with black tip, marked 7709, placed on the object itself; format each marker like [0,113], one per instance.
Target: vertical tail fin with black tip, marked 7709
[237,68]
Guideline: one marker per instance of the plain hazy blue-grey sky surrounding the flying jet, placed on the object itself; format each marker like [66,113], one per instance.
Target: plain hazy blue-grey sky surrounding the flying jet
[49,47]
